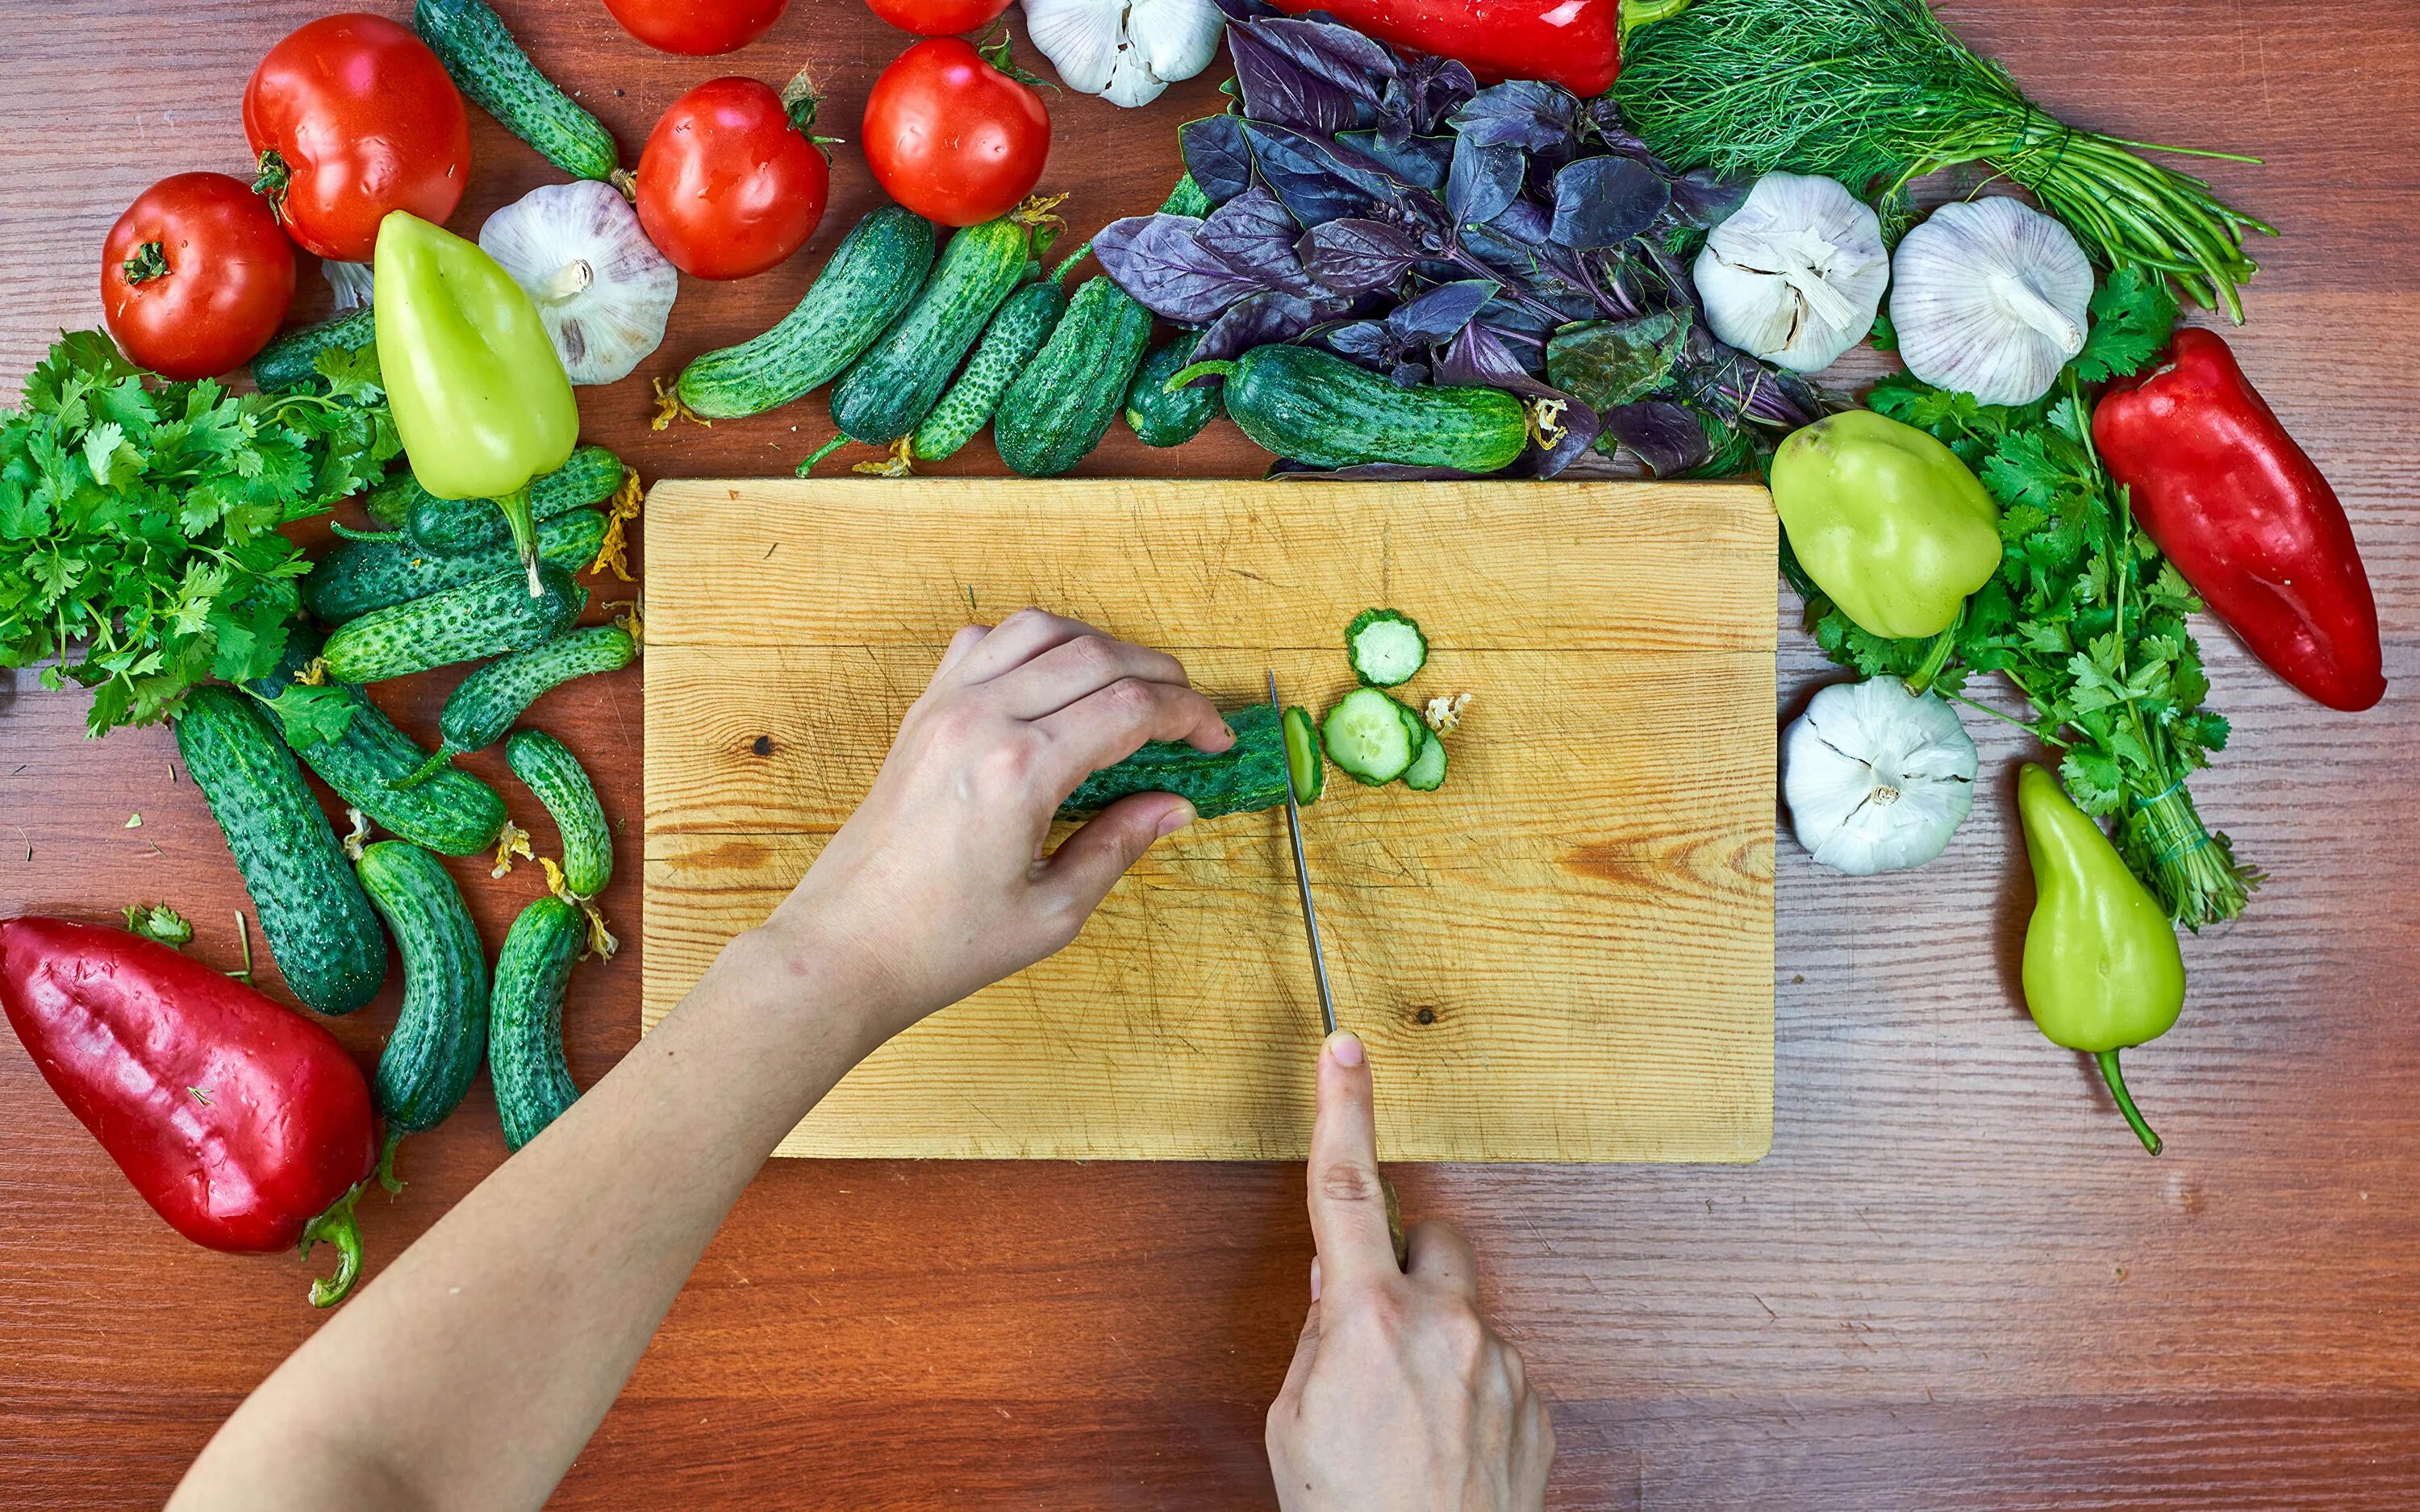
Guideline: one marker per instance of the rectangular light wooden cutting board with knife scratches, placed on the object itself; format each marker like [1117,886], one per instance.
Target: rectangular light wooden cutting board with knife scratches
[1567,954]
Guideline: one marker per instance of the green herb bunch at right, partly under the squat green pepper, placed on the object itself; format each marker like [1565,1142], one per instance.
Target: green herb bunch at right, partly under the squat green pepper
[2085,618]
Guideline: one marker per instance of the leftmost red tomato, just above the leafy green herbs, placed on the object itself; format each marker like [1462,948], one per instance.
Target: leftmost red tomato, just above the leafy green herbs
[197,277]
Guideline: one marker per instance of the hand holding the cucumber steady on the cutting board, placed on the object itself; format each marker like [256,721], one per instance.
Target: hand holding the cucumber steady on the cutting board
[940,884]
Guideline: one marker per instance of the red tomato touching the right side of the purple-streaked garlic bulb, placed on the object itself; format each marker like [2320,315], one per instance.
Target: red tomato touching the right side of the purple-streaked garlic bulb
[730,183]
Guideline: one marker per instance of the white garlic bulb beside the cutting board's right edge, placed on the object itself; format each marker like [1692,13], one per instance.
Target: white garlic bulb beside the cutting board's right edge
[1877,778]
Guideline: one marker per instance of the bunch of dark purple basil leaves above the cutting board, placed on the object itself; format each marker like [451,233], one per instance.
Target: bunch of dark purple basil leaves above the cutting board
[1393,212]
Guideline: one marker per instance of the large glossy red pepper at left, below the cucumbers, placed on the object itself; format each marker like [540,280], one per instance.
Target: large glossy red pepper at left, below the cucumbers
[243,1124]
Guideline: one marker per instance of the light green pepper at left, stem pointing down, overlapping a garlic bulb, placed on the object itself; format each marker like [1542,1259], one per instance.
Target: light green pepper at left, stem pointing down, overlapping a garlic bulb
[478,393]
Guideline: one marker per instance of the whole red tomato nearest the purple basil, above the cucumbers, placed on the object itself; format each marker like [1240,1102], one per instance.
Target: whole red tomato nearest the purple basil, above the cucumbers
[952,137]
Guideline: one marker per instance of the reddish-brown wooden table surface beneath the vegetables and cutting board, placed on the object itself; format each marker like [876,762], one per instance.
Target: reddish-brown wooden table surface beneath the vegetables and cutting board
[1954,1283]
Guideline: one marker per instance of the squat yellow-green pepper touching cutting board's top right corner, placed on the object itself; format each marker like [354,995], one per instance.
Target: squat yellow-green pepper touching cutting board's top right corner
[1886,521]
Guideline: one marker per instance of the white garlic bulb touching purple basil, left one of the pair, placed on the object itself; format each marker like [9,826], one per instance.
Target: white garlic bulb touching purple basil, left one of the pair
[1797,275]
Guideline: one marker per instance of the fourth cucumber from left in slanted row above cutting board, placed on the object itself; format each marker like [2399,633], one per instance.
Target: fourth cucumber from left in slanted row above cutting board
[1064,403]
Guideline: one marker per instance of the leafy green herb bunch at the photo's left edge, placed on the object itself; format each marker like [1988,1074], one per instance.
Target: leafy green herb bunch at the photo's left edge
[139,521]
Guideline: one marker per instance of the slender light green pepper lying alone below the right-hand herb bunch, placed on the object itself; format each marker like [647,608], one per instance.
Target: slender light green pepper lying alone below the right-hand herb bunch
[2102,962]
